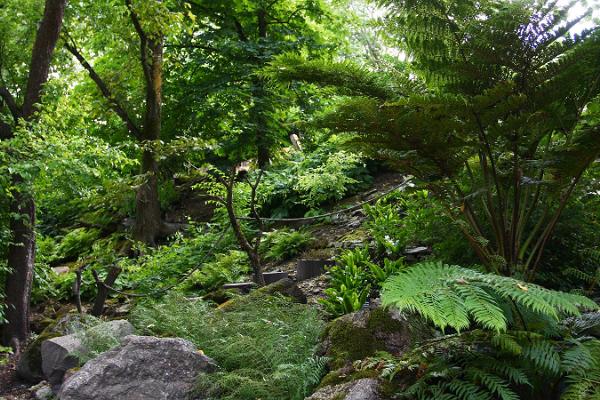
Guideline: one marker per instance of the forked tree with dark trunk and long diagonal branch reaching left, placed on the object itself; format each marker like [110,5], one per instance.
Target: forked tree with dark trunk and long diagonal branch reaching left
[151,34]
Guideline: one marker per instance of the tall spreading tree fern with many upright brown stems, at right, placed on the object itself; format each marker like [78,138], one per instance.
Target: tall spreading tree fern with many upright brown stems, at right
[498,116]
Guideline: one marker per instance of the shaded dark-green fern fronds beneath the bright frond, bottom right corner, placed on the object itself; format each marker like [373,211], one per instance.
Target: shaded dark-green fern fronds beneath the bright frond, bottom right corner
[508,366]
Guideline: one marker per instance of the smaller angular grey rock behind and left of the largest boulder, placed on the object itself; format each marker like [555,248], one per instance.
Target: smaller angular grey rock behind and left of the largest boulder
[61,353]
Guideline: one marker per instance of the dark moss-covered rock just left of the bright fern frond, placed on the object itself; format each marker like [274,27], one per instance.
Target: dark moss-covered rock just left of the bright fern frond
[363,333]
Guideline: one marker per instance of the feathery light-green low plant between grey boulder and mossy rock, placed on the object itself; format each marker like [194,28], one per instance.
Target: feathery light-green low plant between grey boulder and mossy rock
[265,346]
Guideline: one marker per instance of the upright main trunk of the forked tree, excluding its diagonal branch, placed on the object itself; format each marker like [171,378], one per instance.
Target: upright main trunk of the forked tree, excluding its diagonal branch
[148,219]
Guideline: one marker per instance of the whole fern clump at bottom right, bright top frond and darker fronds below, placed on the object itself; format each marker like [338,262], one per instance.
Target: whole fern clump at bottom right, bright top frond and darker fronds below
[509,343]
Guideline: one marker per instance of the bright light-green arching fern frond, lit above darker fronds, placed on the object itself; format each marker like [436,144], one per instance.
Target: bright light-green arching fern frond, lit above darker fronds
[452,296]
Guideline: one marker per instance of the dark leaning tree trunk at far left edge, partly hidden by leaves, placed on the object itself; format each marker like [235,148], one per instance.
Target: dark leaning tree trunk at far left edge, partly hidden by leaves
[21,250]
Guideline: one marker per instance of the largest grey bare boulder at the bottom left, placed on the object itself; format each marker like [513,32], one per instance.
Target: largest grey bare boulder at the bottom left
[141,368]
